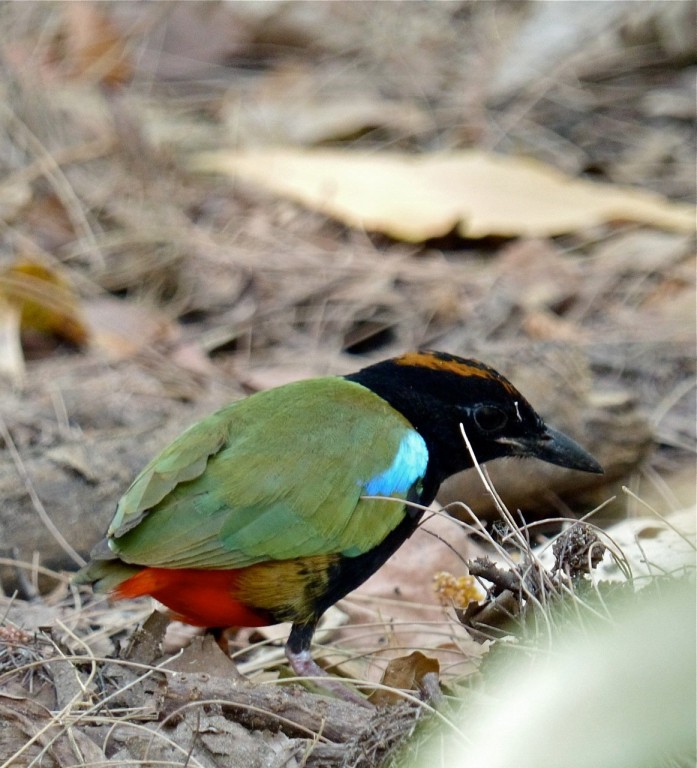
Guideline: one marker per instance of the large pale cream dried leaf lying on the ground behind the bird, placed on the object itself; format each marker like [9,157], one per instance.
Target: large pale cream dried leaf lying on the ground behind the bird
[414,198]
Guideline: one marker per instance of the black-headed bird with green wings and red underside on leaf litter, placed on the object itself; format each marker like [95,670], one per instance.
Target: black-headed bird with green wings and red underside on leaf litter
[278,505]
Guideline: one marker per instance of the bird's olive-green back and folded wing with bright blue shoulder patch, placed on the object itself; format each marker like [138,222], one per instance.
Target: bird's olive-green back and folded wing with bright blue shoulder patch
[276,476]
